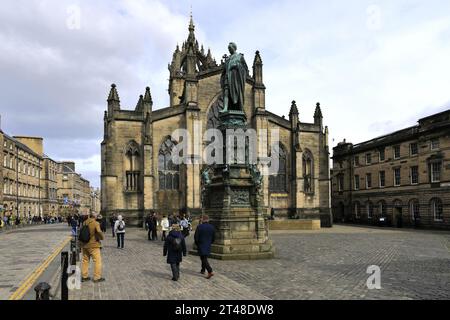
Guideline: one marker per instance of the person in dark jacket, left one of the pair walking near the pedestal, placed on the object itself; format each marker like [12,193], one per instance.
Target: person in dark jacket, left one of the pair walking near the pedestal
[175,249]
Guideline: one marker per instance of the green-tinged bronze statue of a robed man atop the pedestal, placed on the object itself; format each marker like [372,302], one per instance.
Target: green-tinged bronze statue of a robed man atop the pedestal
[233,80]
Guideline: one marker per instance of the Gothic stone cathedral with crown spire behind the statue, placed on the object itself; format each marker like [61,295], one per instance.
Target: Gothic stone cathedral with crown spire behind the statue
[137,174]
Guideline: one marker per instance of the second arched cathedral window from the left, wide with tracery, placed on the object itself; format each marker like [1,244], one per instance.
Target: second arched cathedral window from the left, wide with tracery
[168,172]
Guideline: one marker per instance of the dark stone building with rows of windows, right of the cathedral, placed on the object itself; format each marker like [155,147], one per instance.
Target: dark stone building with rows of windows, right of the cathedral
[403,177]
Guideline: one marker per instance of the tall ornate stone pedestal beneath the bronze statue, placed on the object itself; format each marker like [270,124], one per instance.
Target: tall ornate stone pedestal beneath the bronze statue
[233,201]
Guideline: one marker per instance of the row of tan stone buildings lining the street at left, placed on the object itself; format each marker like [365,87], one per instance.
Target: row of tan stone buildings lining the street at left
[31,183]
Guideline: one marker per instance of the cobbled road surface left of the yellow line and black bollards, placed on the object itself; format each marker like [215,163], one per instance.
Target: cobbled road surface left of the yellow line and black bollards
[23,249]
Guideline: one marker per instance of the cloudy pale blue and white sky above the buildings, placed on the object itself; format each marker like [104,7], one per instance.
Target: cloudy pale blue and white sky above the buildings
[375,66]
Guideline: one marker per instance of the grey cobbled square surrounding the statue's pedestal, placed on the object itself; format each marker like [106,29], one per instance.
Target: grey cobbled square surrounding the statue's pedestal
[323,264]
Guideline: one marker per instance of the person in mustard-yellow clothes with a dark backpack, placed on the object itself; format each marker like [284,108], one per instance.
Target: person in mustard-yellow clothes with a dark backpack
[91,249]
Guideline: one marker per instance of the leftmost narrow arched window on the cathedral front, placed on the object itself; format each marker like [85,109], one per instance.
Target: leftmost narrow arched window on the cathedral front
[132,167]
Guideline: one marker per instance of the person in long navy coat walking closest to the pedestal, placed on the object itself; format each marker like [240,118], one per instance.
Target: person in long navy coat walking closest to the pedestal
[204,236]
